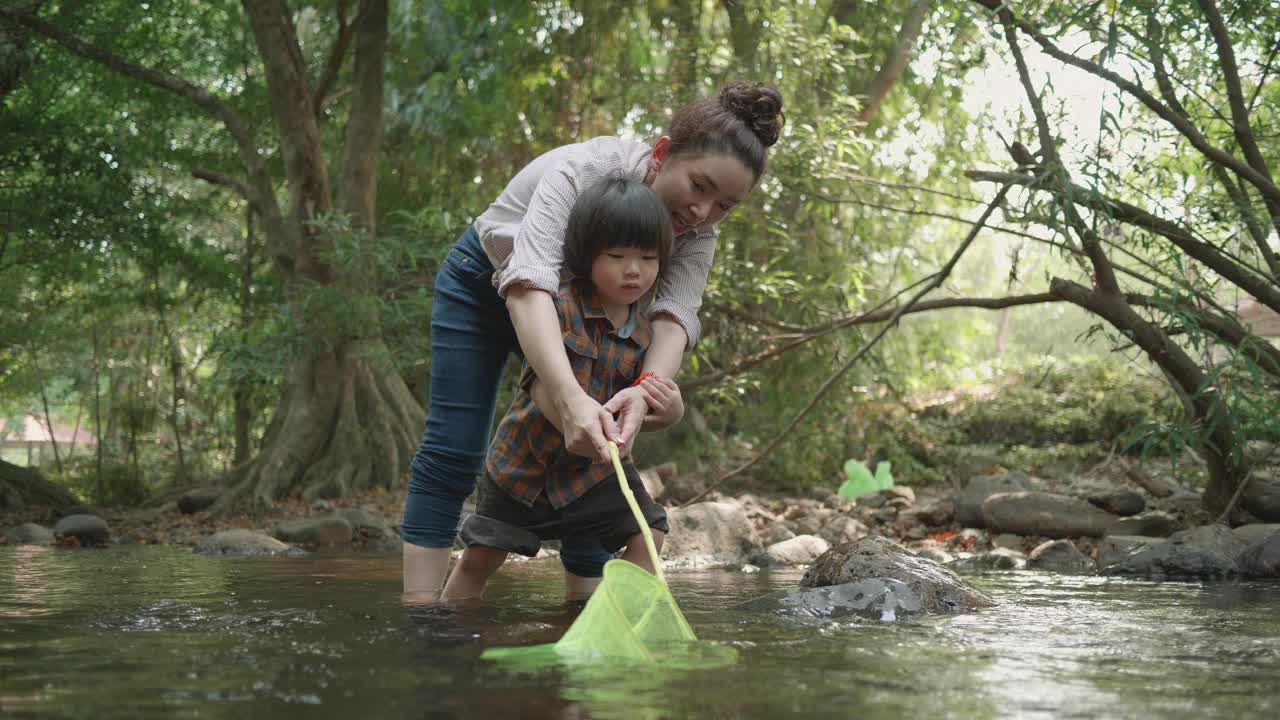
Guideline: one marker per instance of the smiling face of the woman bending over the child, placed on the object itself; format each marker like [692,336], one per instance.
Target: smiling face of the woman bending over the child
[698,189]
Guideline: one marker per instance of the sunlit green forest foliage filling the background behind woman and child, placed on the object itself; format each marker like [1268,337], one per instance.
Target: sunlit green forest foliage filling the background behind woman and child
[145,295]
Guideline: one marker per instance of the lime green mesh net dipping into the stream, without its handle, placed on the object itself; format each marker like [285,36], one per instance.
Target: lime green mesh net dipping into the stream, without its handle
[630,618]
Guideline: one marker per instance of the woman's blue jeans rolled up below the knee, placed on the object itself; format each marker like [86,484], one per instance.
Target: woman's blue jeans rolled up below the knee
[472,336]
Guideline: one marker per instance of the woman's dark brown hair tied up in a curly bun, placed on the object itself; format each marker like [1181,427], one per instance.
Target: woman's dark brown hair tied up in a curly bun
[743,122]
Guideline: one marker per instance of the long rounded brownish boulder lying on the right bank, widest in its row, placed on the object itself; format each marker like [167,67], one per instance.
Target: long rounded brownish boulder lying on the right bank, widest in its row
[1045,514]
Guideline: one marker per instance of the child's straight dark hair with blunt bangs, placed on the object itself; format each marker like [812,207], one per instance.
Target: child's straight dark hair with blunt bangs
[616,213]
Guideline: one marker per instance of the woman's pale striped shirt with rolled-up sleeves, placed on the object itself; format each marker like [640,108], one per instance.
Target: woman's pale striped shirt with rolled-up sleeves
[523,231]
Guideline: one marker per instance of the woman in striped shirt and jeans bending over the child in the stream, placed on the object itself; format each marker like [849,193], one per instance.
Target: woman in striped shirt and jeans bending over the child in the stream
[493,295]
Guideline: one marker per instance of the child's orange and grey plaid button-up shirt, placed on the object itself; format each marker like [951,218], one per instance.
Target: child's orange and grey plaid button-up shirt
[528,455]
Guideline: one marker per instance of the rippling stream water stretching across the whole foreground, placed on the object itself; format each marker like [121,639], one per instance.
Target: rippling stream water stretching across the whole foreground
[154,632]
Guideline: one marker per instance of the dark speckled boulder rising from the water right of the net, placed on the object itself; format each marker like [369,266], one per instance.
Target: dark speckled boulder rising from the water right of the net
[875,557]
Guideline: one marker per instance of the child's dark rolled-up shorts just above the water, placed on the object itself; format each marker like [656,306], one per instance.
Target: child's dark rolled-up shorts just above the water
[604,514]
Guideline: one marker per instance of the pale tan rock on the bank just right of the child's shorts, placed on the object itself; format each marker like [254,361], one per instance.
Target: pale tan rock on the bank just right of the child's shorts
[708,535]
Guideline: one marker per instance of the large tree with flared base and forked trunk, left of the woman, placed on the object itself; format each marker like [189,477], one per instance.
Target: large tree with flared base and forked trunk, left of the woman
[346,420]
